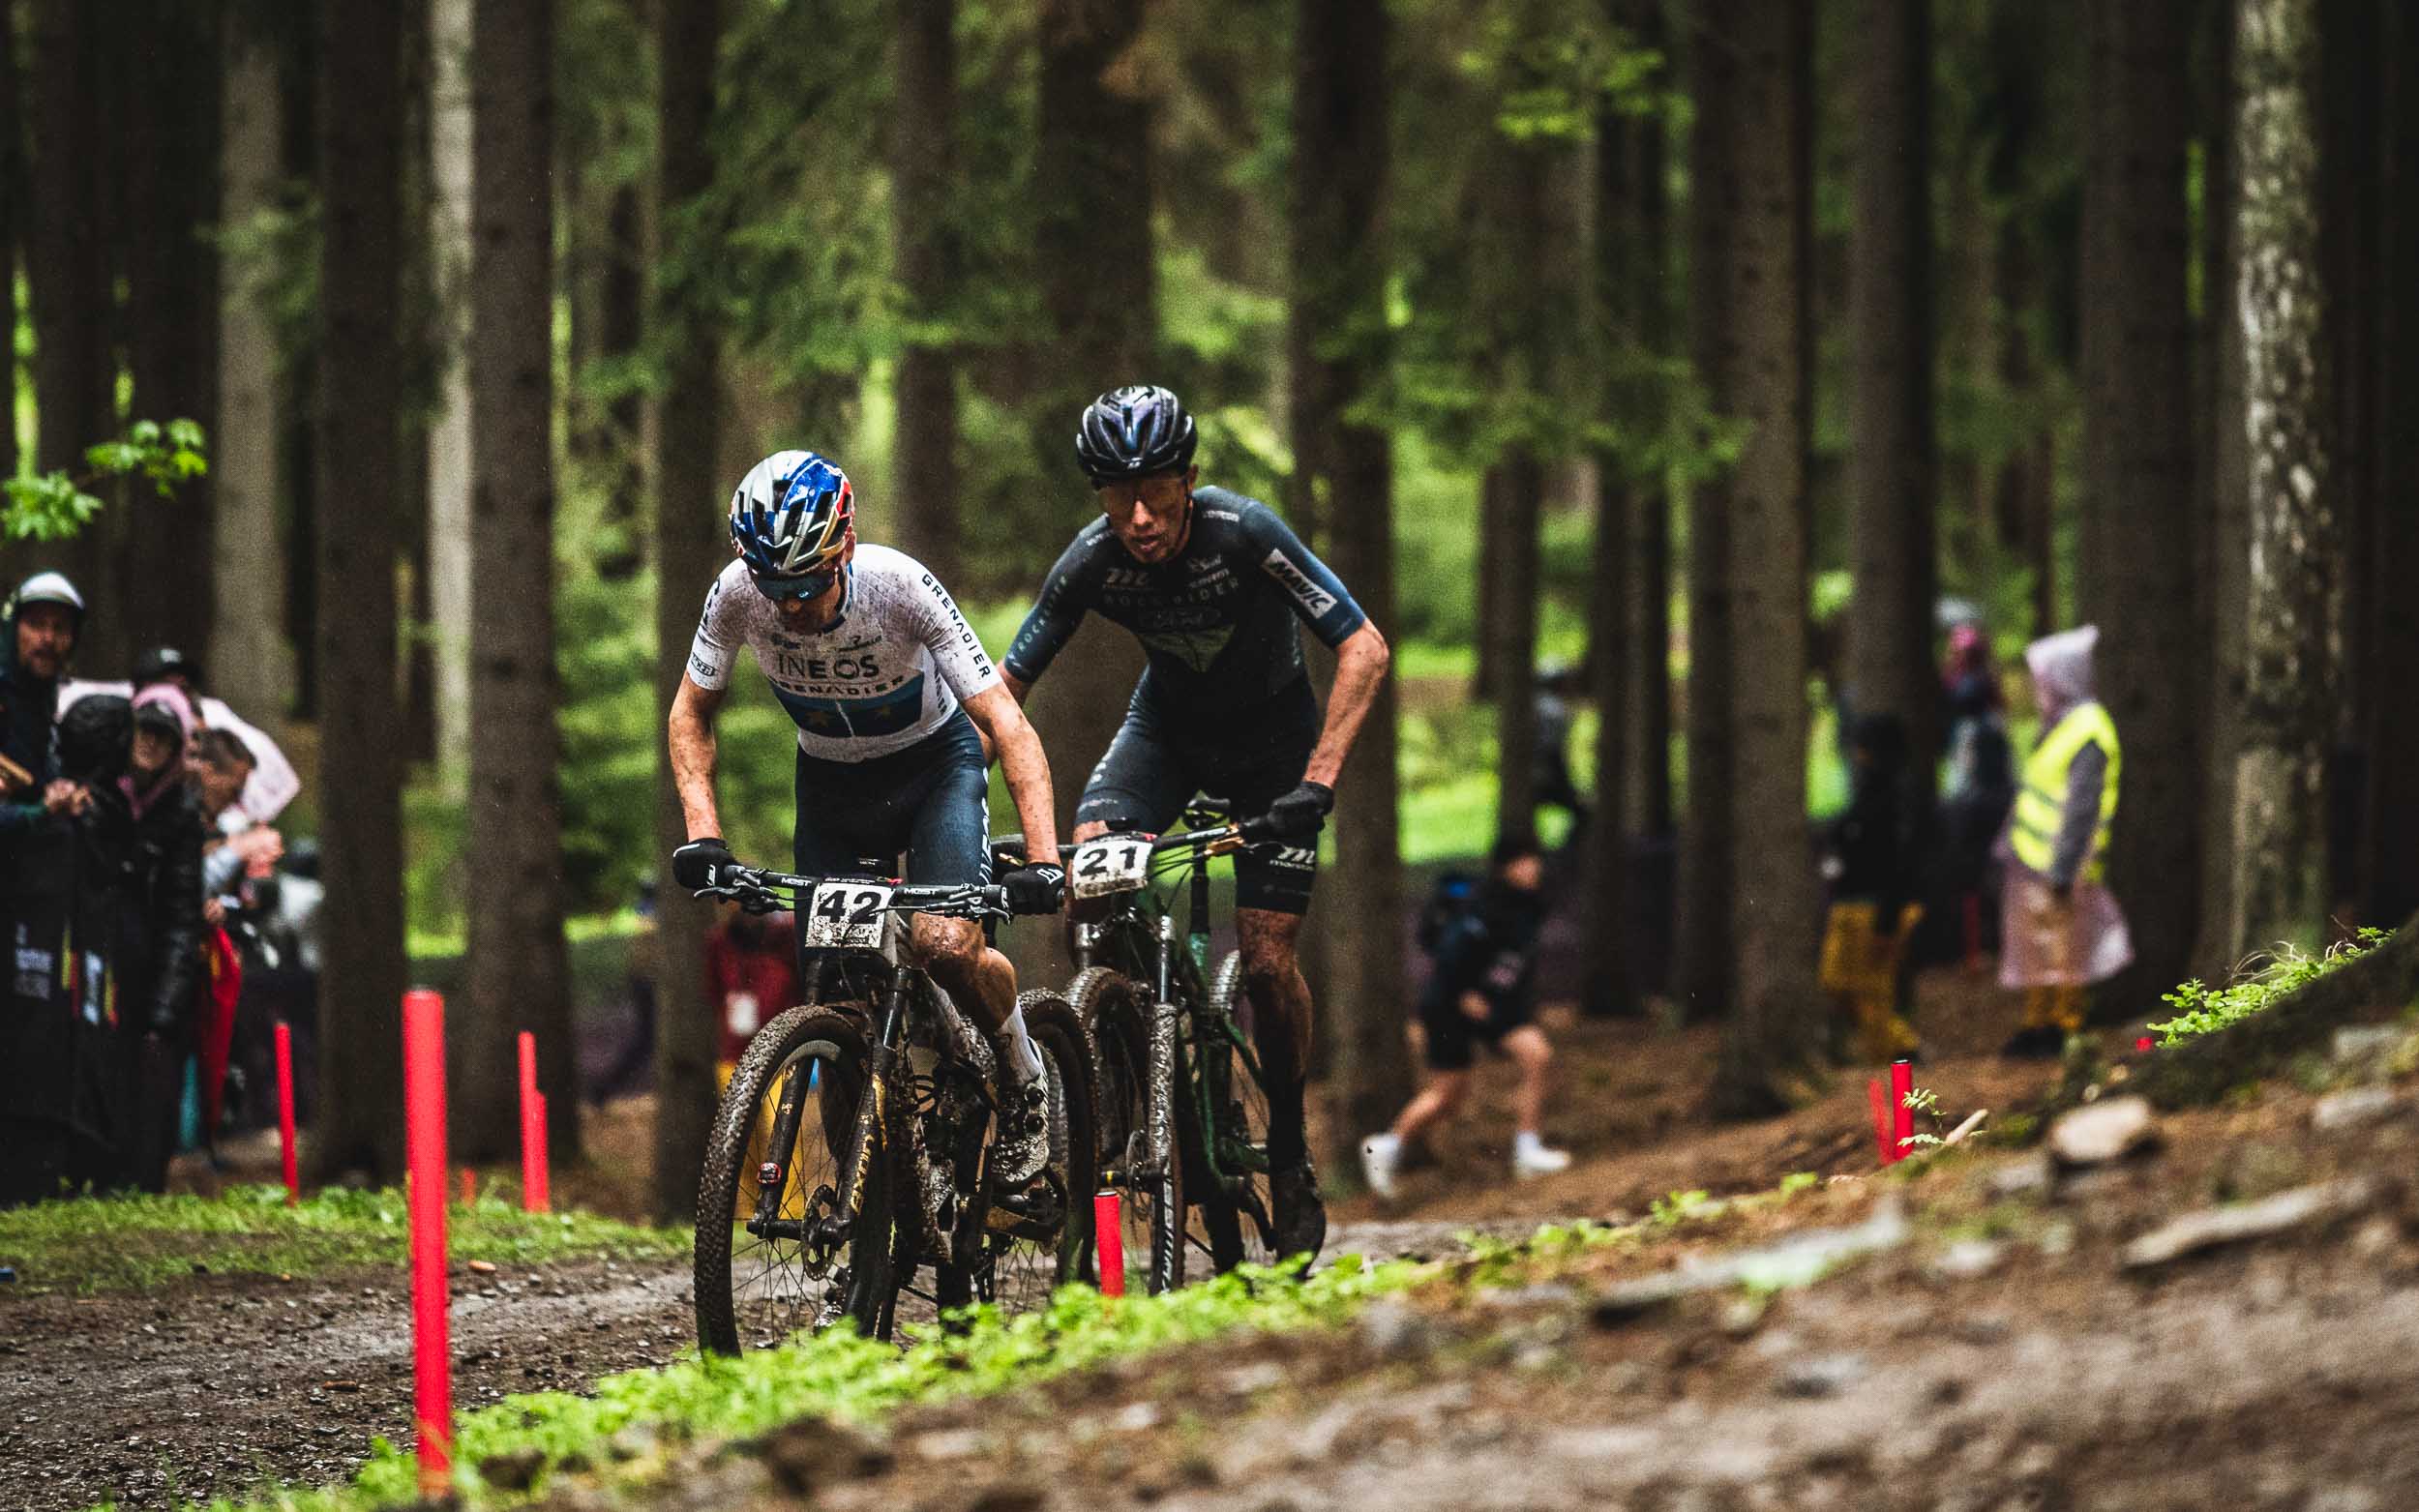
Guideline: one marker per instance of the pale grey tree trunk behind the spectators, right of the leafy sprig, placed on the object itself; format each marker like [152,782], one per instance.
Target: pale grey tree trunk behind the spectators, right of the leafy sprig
[250,659]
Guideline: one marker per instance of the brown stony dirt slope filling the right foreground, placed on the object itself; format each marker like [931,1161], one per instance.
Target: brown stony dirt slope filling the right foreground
[1999,1354]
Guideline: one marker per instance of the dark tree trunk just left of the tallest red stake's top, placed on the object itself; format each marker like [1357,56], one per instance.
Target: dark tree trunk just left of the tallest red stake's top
[357,446]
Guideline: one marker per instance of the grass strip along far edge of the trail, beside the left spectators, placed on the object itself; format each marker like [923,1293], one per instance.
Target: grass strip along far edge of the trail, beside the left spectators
[112,1245]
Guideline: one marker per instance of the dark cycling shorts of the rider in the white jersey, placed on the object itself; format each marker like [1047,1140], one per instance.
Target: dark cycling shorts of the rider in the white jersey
[930,802]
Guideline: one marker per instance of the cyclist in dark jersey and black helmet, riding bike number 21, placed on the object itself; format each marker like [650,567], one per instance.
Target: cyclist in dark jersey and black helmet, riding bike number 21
[1213,584]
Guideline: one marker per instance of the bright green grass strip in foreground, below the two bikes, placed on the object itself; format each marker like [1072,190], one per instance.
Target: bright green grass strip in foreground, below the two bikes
[841,1375]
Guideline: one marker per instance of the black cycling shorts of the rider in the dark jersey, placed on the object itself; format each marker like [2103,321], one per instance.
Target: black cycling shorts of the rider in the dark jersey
[1252,758]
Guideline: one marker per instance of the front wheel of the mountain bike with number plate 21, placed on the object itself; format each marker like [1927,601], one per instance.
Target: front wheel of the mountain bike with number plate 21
[1150,1211]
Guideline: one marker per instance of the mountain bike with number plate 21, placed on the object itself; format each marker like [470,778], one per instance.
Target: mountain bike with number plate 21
[1184,1116]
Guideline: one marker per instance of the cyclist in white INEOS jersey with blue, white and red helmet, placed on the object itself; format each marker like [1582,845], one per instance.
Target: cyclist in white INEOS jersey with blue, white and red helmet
[889,688]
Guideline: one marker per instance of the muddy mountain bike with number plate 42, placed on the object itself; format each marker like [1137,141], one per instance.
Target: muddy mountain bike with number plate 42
[850,1150]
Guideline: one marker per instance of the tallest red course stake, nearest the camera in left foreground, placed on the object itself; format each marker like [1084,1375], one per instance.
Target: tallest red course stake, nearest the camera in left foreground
[425,1138]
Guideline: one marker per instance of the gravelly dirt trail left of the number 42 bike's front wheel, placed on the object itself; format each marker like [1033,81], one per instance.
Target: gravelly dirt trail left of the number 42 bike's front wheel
[214,1385]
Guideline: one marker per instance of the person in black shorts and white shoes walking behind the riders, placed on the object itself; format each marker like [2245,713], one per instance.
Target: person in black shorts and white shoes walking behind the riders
[1482,996]
